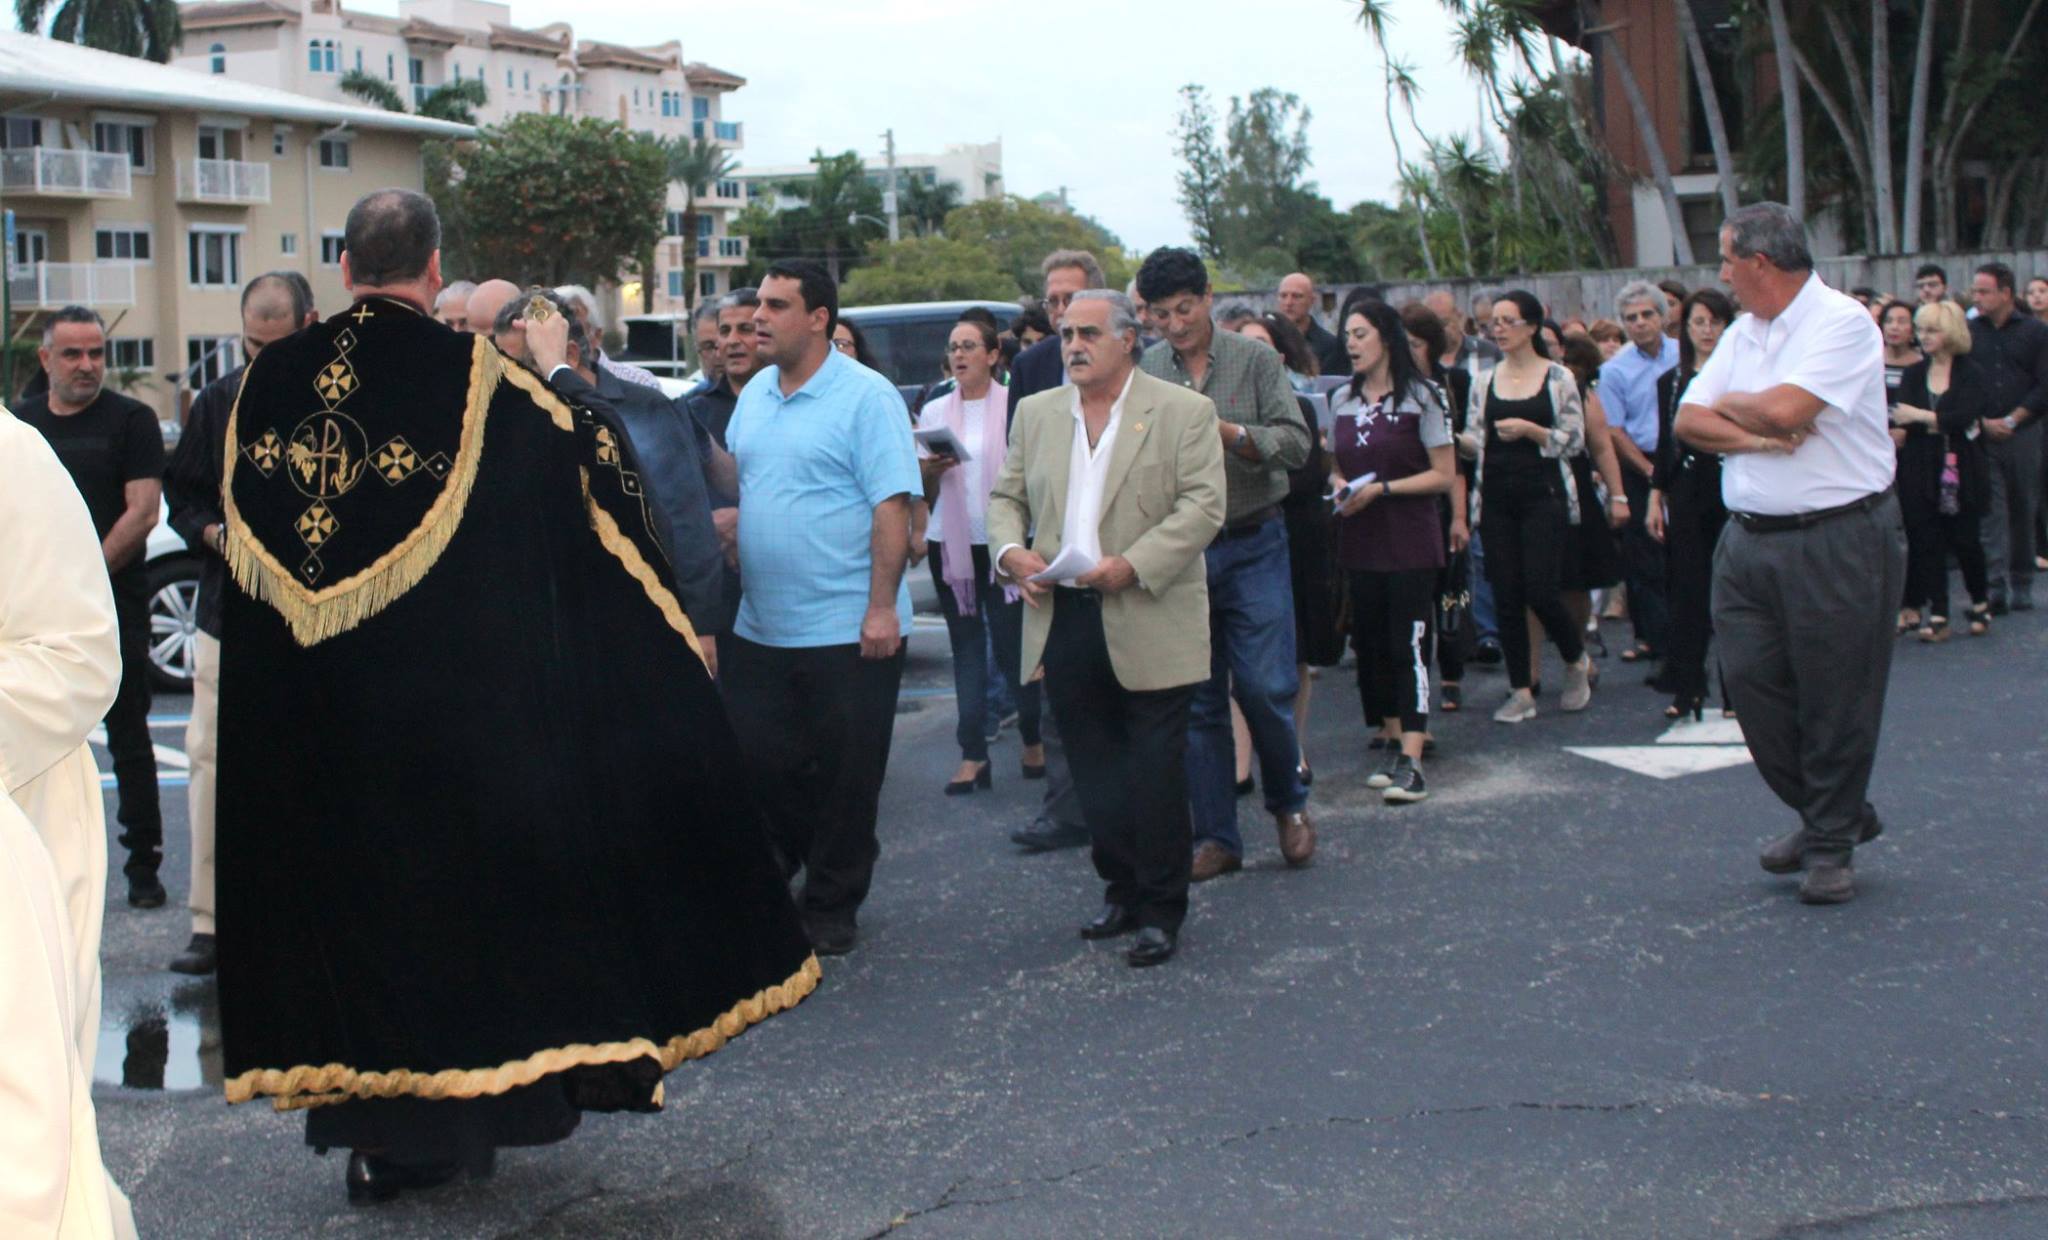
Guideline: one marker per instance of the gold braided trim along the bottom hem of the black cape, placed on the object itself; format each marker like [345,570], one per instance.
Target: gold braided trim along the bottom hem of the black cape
[296,1089]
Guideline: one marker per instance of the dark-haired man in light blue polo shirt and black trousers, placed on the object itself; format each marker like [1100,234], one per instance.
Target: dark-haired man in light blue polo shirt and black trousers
[812,673]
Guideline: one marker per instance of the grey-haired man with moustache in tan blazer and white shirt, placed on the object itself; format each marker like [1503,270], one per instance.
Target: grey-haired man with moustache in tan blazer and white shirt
[1125,472]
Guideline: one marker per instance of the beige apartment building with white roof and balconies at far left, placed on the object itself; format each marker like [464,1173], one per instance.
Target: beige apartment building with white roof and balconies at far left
[155,194]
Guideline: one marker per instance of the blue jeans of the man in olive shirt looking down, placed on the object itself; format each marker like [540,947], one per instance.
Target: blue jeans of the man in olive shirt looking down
[1250,659]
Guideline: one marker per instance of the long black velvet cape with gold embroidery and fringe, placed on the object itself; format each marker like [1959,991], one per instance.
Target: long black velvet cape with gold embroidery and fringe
[480,813]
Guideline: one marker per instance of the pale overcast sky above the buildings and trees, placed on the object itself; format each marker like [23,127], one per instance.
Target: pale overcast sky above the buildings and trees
[1082,95]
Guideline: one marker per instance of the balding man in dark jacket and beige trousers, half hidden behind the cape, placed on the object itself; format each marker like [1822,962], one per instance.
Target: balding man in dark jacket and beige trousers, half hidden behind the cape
[273,306]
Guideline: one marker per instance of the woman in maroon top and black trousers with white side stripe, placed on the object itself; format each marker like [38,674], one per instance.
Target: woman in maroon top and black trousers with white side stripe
[1390,423]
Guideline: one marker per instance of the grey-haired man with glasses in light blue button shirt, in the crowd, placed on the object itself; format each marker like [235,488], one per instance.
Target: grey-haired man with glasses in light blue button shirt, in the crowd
[1629,392]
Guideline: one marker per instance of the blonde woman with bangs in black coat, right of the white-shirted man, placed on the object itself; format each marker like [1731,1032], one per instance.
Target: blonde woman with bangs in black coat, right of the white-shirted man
[1943,483]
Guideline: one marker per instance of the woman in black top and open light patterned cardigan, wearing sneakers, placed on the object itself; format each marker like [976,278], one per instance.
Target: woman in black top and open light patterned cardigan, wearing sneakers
[1525,425]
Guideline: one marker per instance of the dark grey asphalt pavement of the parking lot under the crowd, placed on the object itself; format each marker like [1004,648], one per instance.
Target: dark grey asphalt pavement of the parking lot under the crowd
[1558,999]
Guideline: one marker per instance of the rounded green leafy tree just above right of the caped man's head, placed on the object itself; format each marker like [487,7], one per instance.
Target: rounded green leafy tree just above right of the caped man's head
[562,200]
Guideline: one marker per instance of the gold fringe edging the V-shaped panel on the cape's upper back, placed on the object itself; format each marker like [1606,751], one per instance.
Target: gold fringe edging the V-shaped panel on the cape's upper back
[316,616]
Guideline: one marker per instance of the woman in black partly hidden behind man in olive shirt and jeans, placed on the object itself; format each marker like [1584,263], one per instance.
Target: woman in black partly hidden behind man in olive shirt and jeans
[1312,534]
